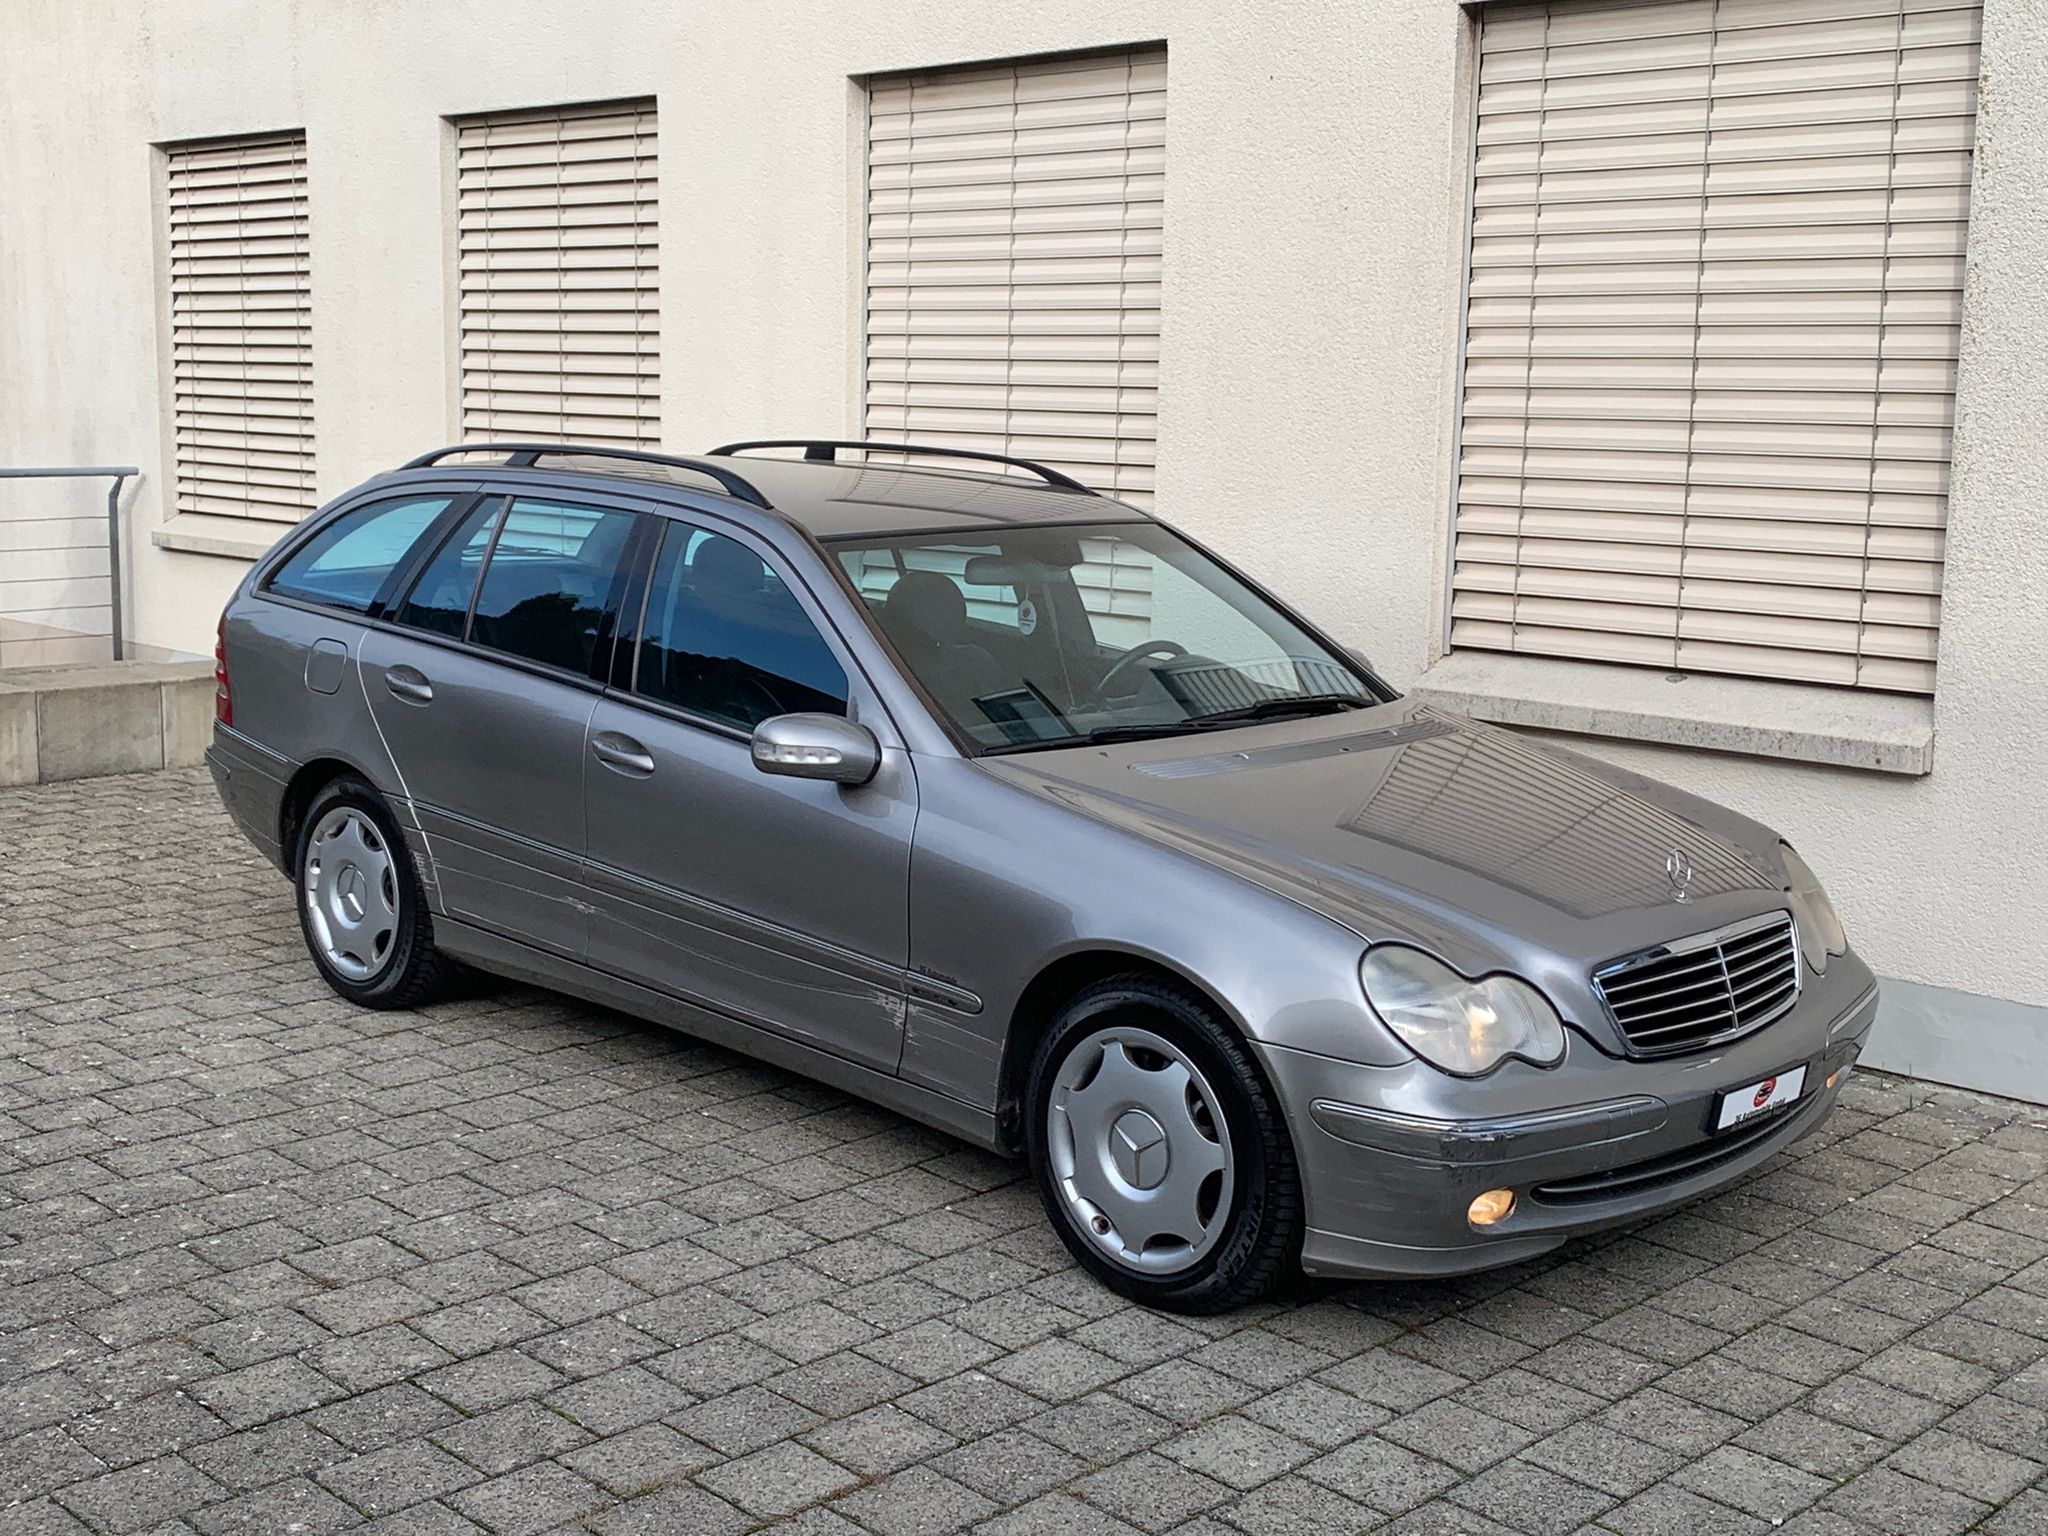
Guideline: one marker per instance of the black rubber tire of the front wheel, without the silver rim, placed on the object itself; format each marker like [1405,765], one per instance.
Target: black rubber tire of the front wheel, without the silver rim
[1258,1246]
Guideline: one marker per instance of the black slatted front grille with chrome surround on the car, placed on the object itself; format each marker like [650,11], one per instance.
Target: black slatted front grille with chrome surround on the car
[1707,988]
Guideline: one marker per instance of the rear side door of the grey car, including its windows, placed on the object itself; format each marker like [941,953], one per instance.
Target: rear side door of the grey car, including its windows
[484,689]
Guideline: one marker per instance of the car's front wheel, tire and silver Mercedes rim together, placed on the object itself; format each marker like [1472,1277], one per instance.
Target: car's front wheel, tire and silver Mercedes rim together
[1160,1150]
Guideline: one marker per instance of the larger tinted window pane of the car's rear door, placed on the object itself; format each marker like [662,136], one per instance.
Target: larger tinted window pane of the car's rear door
[550,581]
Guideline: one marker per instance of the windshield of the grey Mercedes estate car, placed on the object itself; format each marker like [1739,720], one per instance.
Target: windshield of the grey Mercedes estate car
[1035,638]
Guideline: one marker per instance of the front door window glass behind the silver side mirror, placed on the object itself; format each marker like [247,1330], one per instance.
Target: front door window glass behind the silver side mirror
[724,638]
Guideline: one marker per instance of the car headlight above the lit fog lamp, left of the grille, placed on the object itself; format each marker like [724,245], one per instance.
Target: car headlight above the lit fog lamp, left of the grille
[1463,1027]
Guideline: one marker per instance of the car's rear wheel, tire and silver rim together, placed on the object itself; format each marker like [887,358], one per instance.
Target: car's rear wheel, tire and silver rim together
[361,906]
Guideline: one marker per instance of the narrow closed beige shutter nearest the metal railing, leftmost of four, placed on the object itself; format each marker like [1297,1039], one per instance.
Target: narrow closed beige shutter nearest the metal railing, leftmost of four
[241,329]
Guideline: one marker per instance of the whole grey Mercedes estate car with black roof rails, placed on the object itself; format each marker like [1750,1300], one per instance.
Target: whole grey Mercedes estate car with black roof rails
[1002,804]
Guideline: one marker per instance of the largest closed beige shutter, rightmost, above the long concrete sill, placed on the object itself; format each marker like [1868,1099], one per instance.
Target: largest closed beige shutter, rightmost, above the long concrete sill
[1711,341]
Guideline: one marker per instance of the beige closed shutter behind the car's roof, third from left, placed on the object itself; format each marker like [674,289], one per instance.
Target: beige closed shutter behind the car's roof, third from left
[1013,290]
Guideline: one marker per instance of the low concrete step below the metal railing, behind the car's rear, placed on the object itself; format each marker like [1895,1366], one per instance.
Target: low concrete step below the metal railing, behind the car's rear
[103,718]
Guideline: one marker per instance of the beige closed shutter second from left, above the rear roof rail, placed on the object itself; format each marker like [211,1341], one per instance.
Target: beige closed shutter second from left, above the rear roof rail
[560,275]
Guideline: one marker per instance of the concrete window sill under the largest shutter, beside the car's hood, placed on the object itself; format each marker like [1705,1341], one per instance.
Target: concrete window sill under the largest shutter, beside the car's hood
[1838,728]
